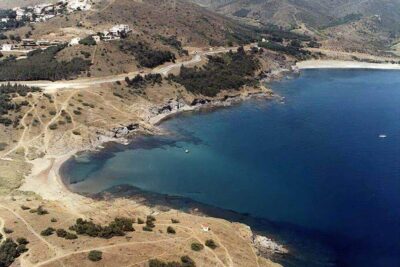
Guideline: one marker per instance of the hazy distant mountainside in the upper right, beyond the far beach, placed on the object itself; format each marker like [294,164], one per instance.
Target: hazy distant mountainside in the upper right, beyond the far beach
[371,22]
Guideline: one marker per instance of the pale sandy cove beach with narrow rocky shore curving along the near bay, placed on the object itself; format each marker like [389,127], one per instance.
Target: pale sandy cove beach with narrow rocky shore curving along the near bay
[46,178]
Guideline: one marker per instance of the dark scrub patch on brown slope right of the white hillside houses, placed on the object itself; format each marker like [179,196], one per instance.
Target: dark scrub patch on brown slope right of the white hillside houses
[145,55]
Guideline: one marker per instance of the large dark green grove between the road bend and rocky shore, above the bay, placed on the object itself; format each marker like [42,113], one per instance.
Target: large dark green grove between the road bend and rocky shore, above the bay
[229,71]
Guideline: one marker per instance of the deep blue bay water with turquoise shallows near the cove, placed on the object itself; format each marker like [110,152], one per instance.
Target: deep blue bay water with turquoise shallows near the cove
[315,162]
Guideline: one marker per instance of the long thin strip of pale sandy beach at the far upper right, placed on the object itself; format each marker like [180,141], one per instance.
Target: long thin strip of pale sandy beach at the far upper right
[341,64]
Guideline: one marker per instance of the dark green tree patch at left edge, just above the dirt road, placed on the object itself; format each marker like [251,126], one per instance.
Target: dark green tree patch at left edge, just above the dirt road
[42,65]
